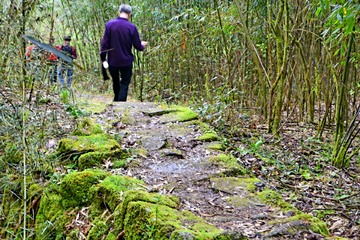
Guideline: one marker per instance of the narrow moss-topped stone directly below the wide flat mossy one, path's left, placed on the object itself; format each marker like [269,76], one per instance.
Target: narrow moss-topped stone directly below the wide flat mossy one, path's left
[91,159]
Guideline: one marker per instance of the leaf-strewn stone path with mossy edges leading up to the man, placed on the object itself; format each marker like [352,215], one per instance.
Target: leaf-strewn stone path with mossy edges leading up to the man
[172,160]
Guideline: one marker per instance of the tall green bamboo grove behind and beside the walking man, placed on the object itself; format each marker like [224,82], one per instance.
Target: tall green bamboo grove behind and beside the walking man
[288,59]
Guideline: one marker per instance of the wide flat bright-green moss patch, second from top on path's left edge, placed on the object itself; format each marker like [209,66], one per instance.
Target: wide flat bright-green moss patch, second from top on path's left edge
[97,142]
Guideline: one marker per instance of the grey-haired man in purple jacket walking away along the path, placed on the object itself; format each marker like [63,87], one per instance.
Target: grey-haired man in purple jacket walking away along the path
[120,35]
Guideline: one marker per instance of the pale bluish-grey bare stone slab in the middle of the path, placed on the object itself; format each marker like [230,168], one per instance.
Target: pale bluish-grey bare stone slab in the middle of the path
[191,165]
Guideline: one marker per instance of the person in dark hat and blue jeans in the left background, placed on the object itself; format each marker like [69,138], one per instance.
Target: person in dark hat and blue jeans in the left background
[66,68]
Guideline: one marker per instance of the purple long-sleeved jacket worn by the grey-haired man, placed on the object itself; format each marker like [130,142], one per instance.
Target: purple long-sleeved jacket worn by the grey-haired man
[120,35]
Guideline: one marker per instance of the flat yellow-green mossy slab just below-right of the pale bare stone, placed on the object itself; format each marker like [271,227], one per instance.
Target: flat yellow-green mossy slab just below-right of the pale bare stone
[233,185]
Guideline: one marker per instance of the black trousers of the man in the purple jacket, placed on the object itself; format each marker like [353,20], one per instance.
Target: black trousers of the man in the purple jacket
[121,88]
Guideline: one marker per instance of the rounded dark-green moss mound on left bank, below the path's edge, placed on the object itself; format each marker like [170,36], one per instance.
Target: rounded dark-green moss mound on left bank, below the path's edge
[77,188]
